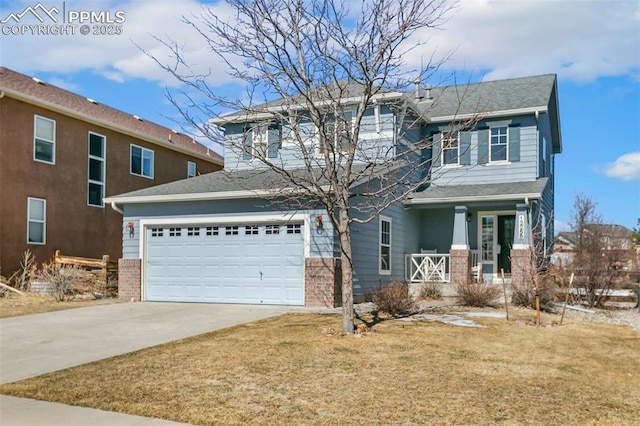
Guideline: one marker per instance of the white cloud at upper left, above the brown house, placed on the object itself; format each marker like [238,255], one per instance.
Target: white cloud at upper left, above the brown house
[117,57]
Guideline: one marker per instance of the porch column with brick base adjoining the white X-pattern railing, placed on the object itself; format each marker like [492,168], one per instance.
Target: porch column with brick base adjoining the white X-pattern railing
[459,255]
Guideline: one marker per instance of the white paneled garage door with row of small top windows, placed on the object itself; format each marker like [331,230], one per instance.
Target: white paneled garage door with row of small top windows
[253,263]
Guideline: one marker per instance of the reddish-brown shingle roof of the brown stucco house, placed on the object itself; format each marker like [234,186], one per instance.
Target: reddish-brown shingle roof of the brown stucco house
[15,82]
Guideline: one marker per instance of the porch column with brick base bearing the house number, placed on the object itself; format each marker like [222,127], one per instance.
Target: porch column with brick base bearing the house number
[521,253]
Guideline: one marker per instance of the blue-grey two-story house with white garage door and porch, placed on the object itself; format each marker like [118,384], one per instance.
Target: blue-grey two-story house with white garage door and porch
[488,163]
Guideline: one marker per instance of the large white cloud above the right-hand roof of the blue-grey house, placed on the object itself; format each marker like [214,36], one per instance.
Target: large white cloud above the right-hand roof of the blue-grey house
[578,40]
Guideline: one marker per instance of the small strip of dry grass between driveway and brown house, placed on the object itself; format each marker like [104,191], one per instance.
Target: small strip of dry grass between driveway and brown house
[13,305]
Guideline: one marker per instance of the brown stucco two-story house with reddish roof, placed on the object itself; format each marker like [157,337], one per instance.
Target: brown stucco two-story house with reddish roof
[61,154]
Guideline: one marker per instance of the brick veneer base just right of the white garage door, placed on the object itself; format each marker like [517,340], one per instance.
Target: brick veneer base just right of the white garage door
[322,282]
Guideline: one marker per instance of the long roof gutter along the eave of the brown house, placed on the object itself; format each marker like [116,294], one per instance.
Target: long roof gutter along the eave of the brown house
[122,130]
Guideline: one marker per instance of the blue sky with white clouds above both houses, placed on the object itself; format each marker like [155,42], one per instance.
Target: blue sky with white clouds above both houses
[592,45]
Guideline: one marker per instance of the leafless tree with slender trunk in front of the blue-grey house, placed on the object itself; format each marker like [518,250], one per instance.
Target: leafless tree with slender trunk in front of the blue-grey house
[325,66]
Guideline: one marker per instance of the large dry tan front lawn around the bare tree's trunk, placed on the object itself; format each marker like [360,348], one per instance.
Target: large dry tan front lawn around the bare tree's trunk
[293,370]
